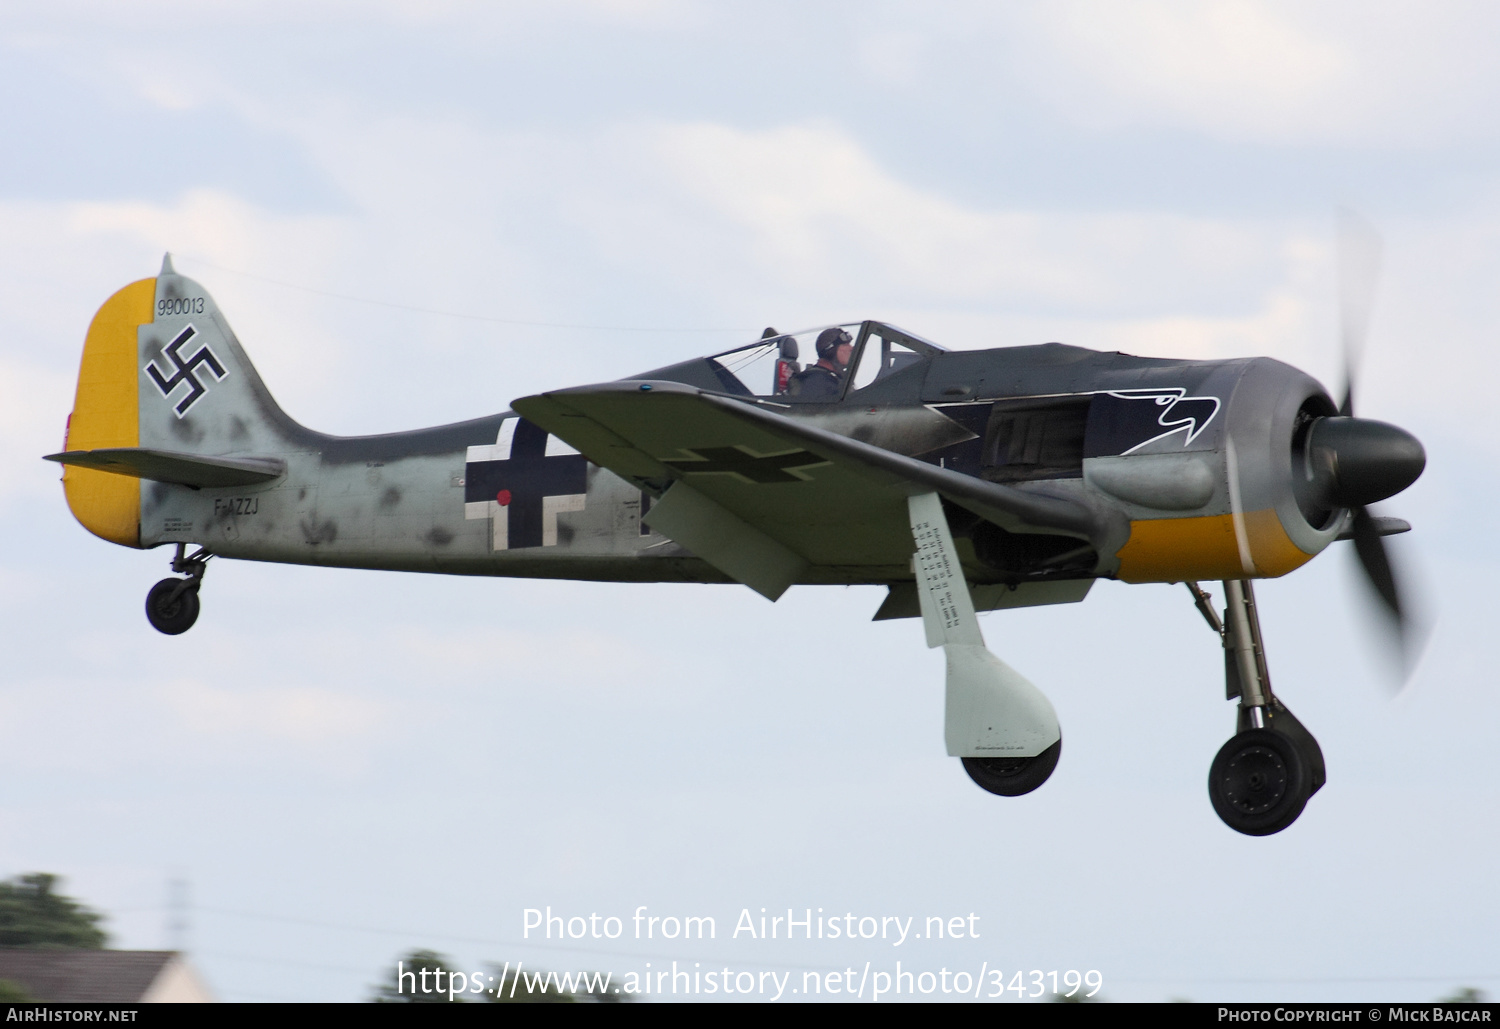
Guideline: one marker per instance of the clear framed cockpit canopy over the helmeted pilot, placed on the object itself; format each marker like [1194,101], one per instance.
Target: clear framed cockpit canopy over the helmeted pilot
[779,365]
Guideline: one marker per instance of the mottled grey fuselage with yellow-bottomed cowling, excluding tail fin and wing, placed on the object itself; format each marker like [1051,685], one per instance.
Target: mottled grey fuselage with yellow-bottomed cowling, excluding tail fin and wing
[1190,461]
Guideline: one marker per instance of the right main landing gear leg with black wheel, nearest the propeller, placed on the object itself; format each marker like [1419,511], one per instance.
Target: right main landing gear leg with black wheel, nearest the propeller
[1265,775]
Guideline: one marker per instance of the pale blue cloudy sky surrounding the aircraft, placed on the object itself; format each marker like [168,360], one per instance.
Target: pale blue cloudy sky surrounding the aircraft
[413,214]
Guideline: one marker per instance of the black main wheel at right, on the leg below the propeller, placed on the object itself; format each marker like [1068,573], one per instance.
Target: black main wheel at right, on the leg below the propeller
[1259,782]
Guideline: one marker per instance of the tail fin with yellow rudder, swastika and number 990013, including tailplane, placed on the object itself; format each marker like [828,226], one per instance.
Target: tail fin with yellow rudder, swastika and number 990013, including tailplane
[166,394]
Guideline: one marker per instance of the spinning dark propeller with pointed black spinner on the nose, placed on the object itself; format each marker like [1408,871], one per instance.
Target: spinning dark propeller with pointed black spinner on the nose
[1354,463]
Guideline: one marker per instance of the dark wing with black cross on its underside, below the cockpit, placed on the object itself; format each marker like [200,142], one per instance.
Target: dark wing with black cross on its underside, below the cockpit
[767,497]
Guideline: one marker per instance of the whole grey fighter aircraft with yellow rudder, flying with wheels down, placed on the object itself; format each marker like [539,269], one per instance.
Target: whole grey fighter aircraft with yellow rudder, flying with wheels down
[961,481]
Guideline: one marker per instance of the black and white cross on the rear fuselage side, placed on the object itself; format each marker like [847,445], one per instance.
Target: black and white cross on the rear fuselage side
[523,488]
